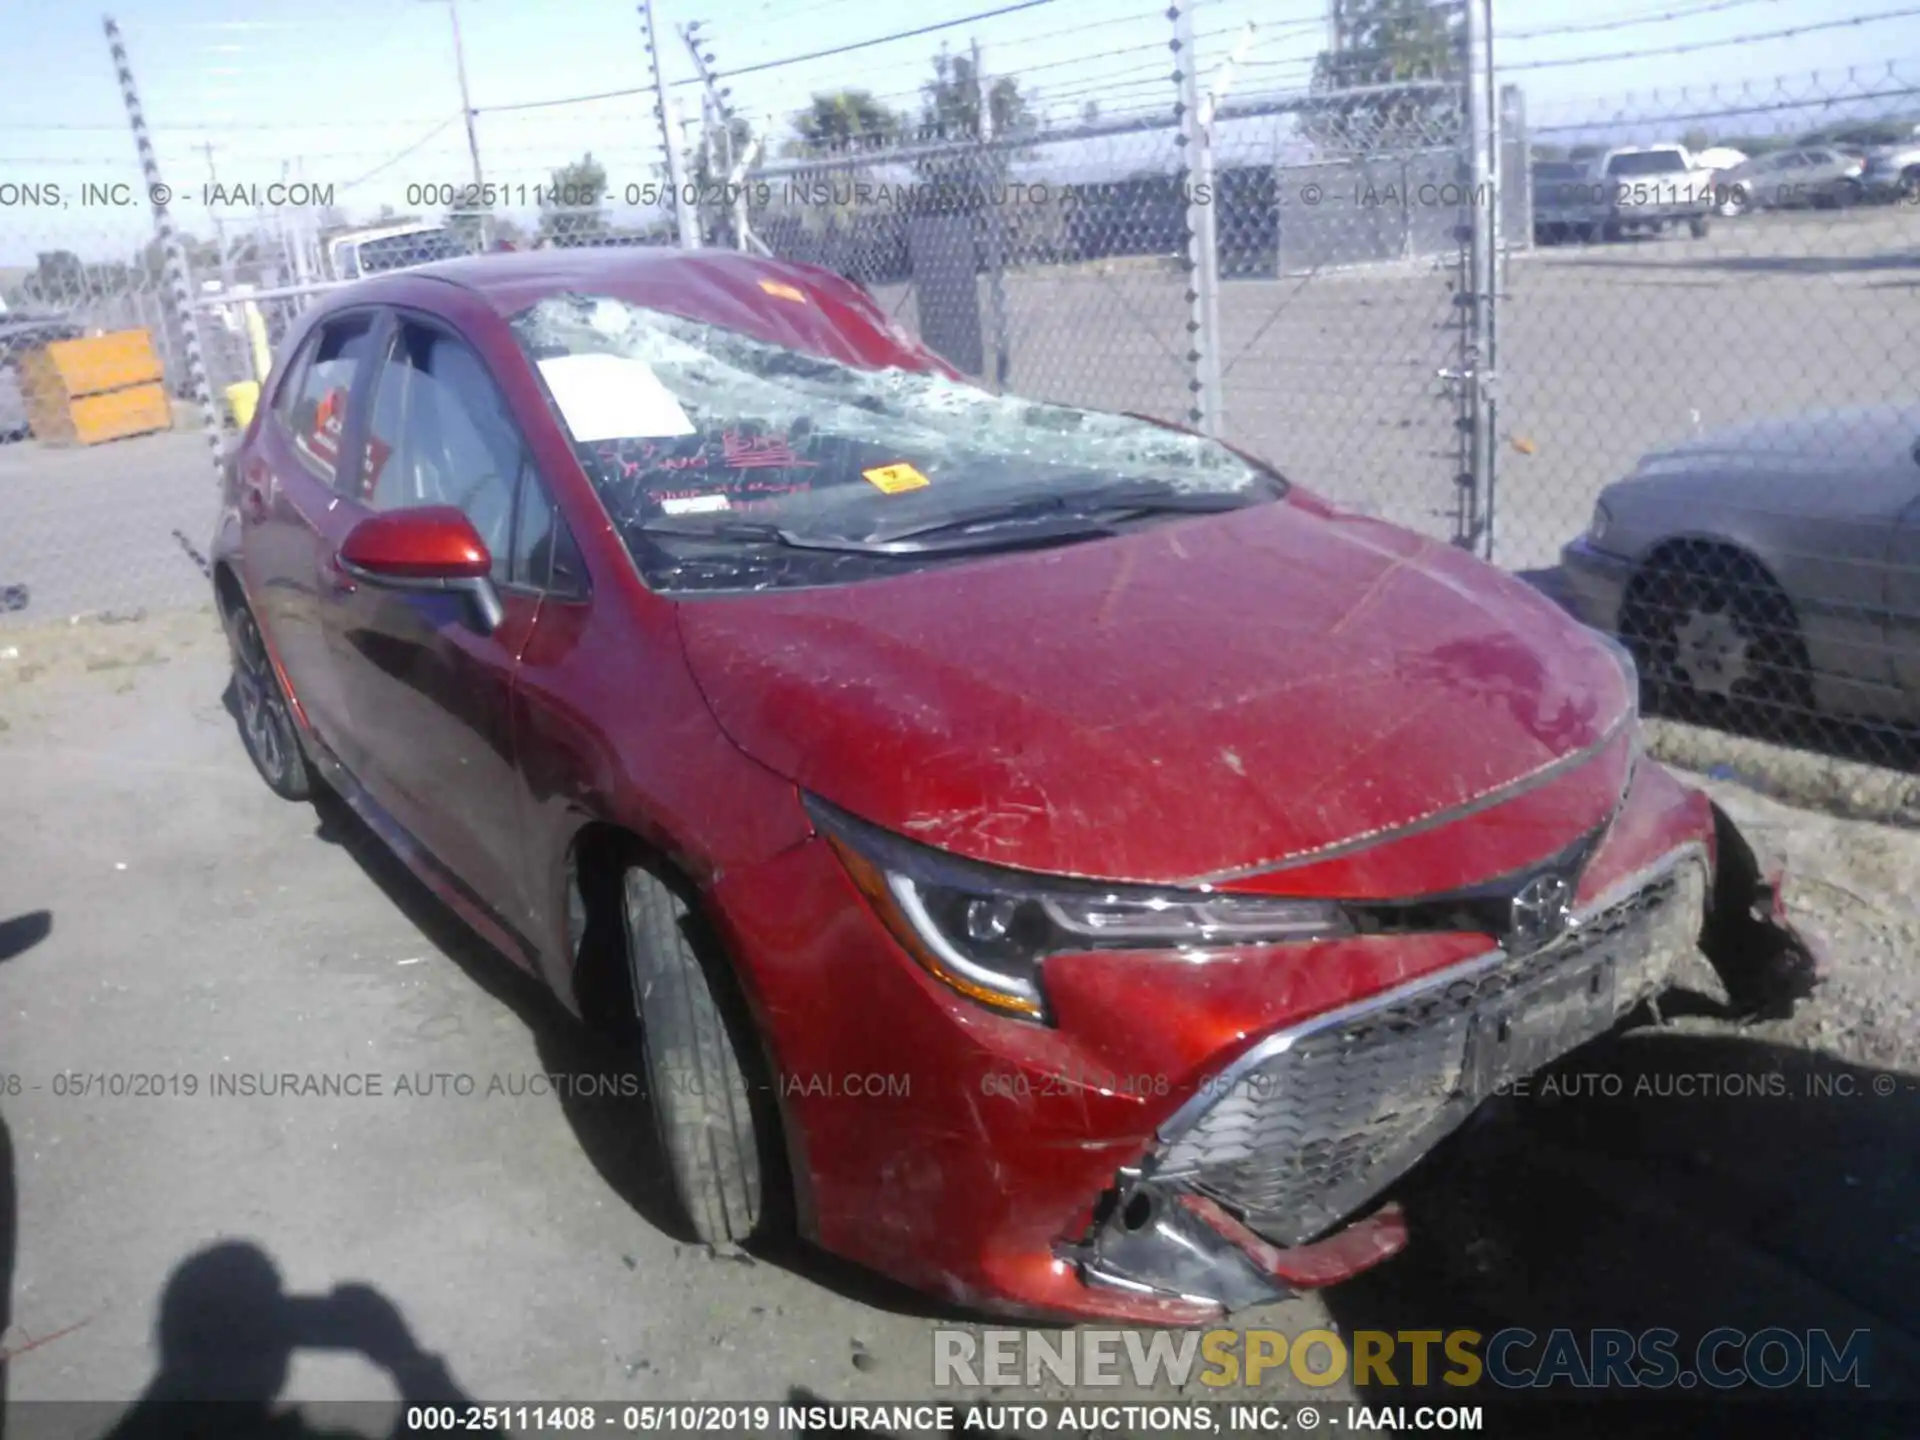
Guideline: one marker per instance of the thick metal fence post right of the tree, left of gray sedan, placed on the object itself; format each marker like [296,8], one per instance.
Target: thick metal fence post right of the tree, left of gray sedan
[1483,199]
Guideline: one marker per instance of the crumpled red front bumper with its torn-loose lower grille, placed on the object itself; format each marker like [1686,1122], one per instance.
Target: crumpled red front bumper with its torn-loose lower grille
[1153,1159]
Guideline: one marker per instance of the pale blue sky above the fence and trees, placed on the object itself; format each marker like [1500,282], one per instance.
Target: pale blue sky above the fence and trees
[362,95]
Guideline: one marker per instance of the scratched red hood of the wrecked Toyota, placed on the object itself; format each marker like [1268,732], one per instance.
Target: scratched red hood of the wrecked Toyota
[1182,704]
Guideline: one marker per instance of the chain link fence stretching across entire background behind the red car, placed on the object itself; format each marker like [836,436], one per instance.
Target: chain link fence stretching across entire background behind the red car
[1698,427]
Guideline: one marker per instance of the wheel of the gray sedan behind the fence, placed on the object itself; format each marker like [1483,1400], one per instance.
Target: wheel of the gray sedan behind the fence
[1712,633]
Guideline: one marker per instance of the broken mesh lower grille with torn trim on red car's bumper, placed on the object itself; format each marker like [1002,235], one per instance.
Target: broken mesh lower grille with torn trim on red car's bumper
[1249,1191]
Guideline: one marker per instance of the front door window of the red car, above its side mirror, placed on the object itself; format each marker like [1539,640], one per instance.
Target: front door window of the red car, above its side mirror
[439,435]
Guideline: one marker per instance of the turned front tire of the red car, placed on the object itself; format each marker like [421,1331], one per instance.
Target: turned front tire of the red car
[711,1124]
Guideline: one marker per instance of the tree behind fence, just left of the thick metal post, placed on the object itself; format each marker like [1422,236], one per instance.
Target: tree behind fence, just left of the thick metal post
[1414,45]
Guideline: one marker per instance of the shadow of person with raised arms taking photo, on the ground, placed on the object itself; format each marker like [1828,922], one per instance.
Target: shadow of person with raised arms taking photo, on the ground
[228,1335]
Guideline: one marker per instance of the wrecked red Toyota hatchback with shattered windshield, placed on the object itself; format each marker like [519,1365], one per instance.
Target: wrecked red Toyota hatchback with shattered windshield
[1044,855]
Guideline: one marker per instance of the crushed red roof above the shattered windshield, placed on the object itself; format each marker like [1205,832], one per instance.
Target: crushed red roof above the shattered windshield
[782,302]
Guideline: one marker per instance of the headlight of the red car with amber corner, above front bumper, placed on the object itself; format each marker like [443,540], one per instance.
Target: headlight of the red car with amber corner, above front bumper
[986,932]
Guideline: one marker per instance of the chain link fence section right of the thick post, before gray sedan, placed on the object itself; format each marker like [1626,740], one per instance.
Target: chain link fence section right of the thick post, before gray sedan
[1708,398]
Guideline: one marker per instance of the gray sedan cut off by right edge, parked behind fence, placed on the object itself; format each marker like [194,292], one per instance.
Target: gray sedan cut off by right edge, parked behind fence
[1773,564]
